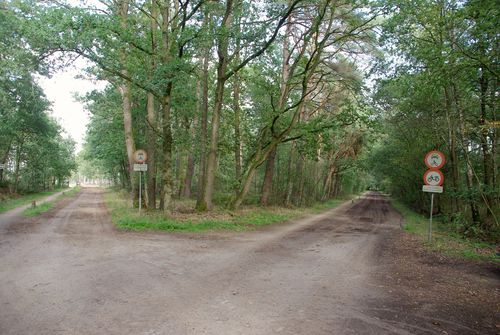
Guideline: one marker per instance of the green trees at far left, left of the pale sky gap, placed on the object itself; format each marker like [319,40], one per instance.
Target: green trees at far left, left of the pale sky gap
[32,146]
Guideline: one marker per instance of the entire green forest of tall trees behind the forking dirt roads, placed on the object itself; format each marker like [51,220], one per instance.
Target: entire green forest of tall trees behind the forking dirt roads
[263,102]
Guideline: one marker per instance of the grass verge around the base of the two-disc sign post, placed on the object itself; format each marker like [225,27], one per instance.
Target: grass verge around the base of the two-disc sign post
[444,240]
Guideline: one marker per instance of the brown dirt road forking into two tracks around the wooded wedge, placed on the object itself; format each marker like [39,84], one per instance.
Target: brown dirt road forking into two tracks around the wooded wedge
[70,272]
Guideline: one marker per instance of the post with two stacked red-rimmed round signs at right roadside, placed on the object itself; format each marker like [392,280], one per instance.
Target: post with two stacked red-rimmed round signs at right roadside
[433,180]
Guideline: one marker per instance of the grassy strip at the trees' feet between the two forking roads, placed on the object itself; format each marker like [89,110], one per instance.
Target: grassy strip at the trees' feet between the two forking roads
[248,218]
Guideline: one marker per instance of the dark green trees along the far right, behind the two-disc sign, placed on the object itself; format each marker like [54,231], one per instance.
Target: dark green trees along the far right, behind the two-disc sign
[439,78]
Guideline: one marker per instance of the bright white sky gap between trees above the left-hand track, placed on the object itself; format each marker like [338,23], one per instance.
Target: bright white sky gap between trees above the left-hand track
[60,89]
